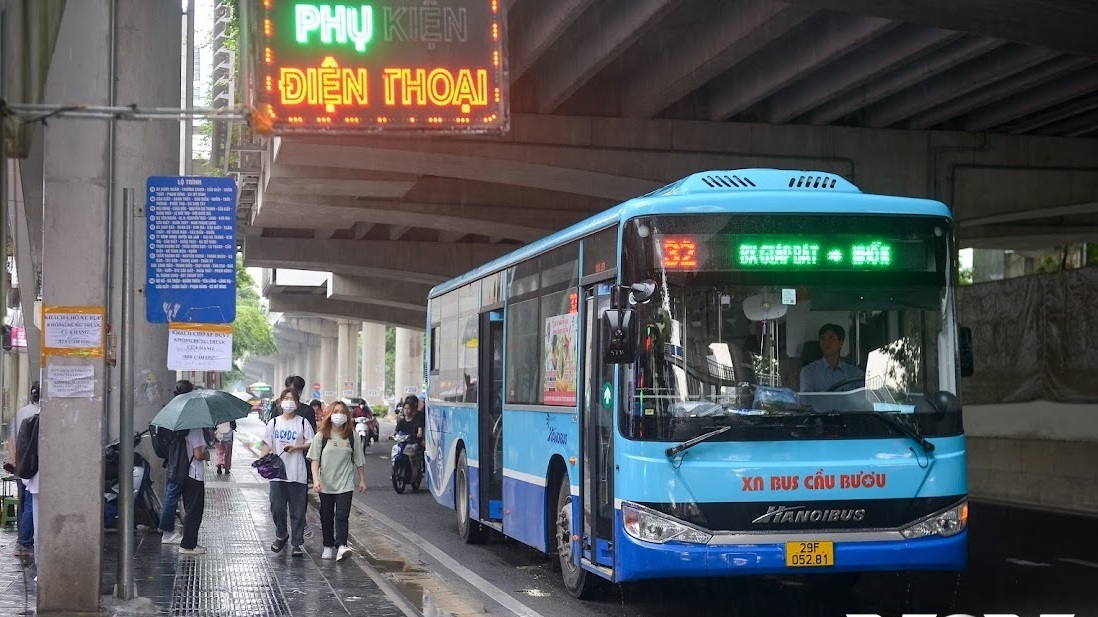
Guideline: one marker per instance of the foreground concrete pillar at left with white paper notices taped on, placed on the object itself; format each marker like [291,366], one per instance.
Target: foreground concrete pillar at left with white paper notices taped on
[74,271]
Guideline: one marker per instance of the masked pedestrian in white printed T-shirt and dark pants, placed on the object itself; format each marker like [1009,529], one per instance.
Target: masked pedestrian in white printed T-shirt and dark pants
[289,436]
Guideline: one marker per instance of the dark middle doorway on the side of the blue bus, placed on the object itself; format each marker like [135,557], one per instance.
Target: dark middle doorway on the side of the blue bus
[490,417]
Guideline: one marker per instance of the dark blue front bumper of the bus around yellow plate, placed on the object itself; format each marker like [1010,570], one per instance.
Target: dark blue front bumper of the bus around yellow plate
[638,560]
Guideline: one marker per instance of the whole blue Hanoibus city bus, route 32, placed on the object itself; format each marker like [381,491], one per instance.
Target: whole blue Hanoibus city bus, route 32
[640,395]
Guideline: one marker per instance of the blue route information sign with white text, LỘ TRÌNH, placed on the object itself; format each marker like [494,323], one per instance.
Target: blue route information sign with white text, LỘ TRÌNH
[192,261]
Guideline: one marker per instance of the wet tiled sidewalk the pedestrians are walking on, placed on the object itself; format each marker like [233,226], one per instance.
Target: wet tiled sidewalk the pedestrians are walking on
[239,576]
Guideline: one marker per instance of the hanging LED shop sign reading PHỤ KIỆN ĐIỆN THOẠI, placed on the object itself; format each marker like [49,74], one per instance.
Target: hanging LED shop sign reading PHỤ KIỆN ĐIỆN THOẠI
[383,65]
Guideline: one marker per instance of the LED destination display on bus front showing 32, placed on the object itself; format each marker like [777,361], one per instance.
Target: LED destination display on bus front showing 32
[857,254]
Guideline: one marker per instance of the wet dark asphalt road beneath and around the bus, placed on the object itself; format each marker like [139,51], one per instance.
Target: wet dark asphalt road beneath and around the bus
[1021,563]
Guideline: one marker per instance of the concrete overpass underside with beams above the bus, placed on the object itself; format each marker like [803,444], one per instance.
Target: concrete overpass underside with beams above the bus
[989,106]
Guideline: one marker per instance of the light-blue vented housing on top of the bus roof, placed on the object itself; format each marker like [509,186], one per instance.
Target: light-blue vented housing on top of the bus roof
[758,181]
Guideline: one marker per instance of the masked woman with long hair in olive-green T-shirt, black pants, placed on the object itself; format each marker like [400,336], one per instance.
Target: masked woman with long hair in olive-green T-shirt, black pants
[337,458]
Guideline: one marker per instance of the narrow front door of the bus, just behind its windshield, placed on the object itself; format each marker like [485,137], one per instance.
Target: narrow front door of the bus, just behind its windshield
[597,475]
